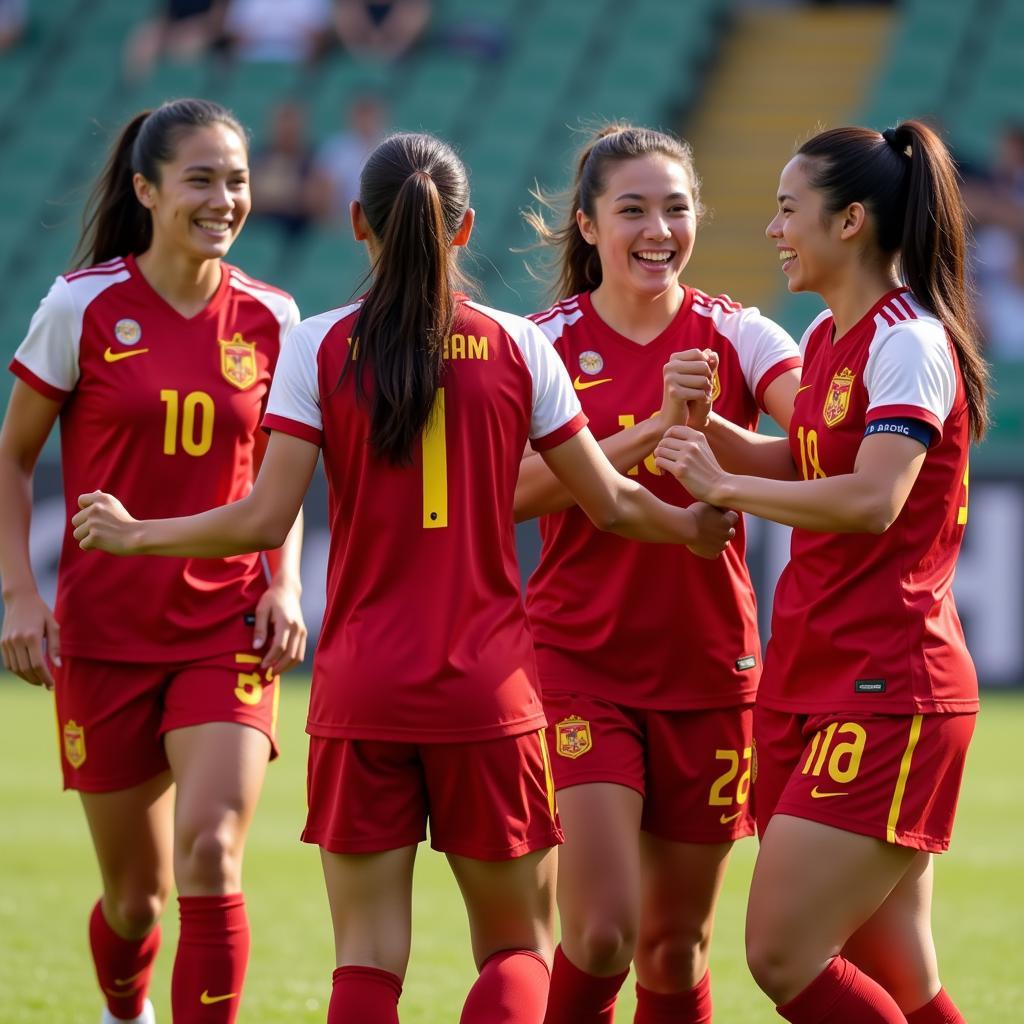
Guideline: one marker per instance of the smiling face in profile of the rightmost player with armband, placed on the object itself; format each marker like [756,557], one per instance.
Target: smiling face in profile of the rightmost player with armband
[807,240]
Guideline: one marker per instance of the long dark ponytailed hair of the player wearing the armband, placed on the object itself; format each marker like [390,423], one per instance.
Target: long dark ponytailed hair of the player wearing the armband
[908,182]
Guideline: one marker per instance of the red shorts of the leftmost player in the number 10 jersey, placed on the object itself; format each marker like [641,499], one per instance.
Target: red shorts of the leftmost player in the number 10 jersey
[112,716]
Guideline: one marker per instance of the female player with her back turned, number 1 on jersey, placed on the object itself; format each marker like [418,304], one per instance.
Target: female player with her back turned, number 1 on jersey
[425,701]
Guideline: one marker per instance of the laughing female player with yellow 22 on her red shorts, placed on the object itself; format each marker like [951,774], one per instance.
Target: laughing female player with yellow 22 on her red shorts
[649,658]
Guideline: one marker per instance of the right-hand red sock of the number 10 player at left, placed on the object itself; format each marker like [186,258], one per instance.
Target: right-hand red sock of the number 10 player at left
[214,954]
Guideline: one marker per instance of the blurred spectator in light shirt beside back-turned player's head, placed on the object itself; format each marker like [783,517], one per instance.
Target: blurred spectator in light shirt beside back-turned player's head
[340,159]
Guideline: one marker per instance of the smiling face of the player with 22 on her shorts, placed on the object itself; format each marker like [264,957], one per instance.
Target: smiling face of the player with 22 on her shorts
[645,225]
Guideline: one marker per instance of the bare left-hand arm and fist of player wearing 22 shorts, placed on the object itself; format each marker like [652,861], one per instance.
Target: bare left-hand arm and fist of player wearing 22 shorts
[539,492]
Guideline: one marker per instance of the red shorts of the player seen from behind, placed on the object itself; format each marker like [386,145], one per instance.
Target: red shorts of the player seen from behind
[490,800]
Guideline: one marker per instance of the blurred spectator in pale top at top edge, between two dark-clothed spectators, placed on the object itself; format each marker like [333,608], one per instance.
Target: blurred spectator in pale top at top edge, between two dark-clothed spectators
[296,31]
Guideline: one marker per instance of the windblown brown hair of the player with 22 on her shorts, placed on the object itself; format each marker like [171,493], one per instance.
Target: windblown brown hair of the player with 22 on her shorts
[576,266]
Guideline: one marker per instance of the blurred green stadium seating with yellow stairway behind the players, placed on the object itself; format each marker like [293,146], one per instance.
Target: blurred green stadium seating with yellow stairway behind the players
[560,64]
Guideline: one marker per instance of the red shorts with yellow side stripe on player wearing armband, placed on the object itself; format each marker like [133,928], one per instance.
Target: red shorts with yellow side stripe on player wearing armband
[895,778]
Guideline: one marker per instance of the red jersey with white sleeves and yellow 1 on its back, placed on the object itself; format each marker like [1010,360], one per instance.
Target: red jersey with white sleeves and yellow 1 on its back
[425,638]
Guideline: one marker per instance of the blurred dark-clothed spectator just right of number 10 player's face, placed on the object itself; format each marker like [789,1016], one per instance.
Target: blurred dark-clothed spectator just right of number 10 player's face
[281,172]
